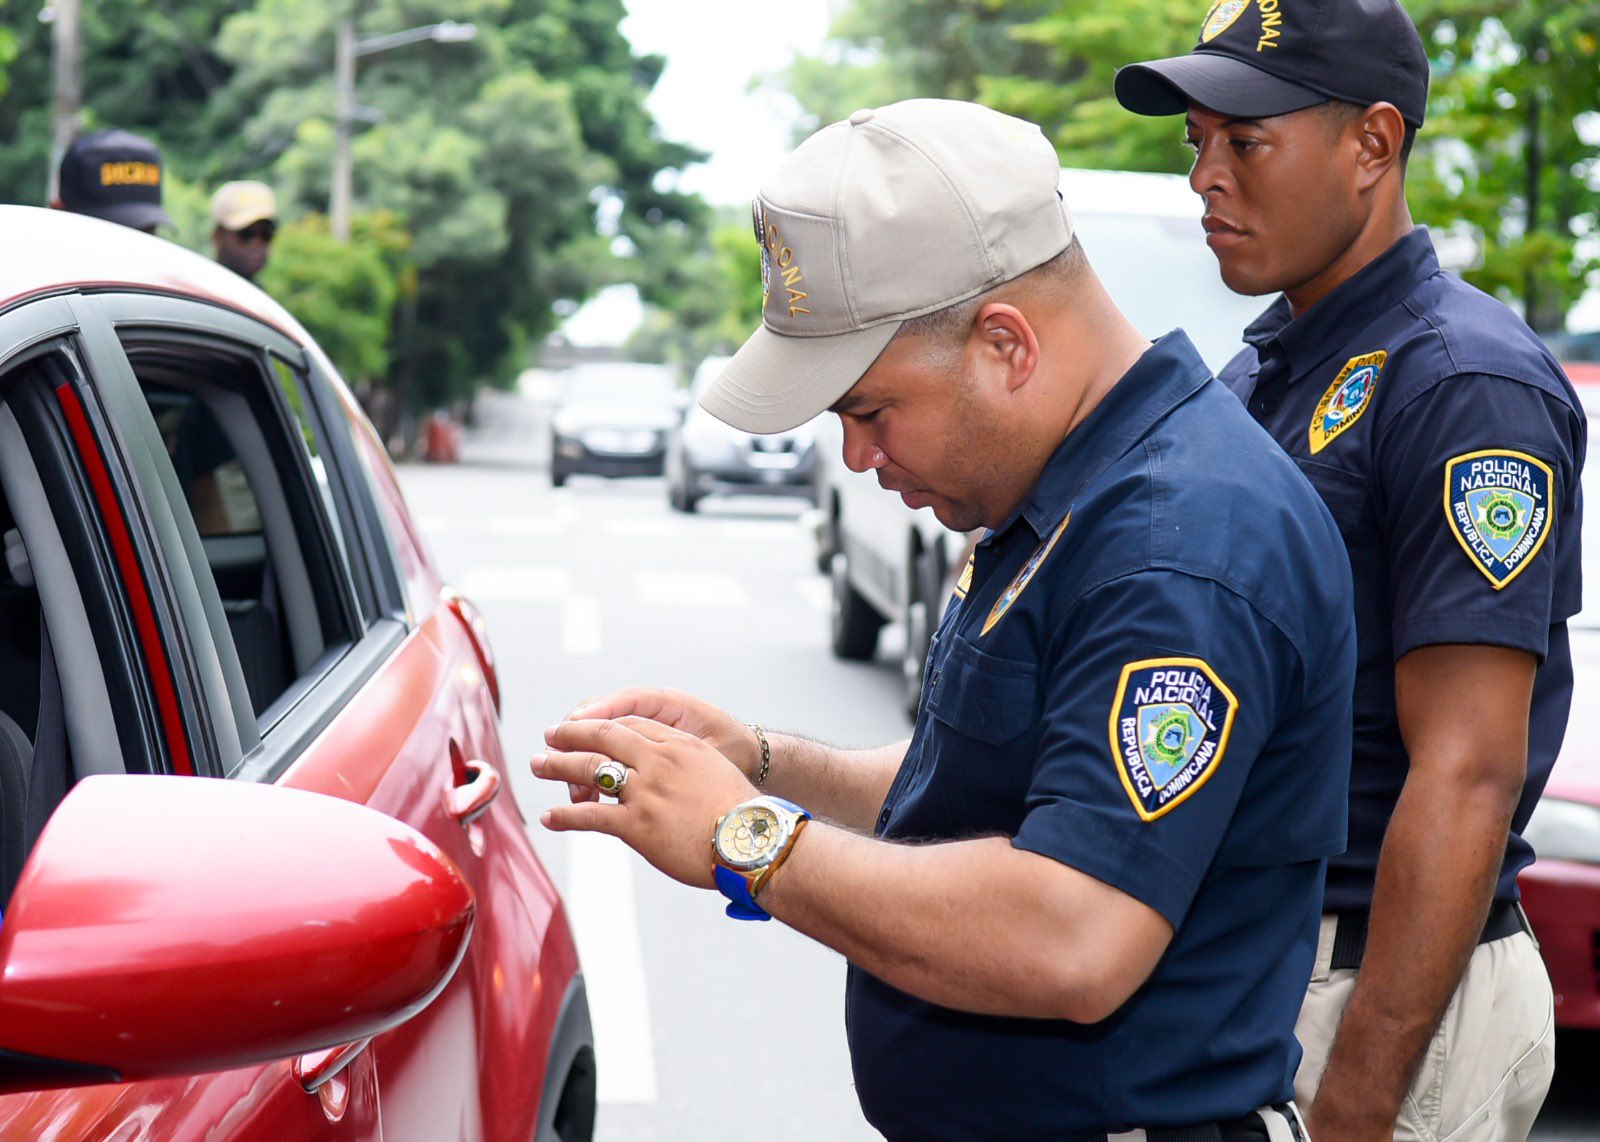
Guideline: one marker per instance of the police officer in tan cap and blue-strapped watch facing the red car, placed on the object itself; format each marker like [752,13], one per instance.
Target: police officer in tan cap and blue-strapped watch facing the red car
[1110,826]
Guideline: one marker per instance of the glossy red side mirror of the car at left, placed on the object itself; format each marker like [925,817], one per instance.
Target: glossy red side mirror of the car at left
[178,925]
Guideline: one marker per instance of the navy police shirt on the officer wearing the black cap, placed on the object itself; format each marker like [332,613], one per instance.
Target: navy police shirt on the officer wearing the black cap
[1449,445]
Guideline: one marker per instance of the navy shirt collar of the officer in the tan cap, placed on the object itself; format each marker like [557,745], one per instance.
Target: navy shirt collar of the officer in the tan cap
[1166,377]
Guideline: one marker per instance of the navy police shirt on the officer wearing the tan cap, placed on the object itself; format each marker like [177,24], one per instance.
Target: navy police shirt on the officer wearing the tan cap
[1146,676]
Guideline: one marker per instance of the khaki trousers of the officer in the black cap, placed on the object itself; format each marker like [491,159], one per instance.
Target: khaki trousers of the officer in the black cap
[1490,1064]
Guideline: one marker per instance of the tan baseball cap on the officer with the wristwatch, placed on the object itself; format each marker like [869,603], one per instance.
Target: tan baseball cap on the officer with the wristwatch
[889,215]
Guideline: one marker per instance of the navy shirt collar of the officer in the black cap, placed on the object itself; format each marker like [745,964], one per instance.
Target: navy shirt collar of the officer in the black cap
[1327,327]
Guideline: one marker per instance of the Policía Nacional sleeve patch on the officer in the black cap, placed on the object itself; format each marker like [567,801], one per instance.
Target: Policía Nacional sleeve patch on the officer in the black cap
[1500,508]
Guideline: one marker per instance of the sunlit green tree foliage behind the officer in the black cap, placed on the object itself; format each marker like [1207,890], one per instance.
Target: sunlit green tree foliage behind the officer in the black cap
[1516,87]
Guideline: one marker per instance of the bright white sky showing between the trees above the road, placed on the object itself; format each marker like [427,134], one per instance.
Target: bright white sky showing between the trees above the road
[713,49]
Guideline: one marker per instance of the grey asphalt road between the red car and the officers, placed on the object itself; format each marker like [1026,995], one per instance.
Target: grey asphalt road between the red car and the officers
[599,586]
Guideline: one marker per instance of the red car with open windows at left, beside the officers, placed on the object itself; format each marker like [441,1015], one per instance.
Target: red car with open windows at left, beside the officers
[265,874]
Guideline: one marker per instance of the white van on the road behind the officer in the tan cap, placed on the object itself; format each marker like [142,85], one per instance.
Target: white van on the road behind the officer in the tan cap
[894,565]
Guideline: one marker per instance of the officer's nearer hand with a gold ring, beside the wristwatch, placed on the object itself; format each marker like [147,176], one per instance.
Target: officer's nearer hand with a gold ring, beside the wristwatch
[678,788]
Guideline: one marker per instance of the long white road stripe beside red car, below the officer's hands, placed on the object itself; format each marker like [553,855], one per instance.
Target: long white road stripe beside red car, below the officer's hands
[606,927]
